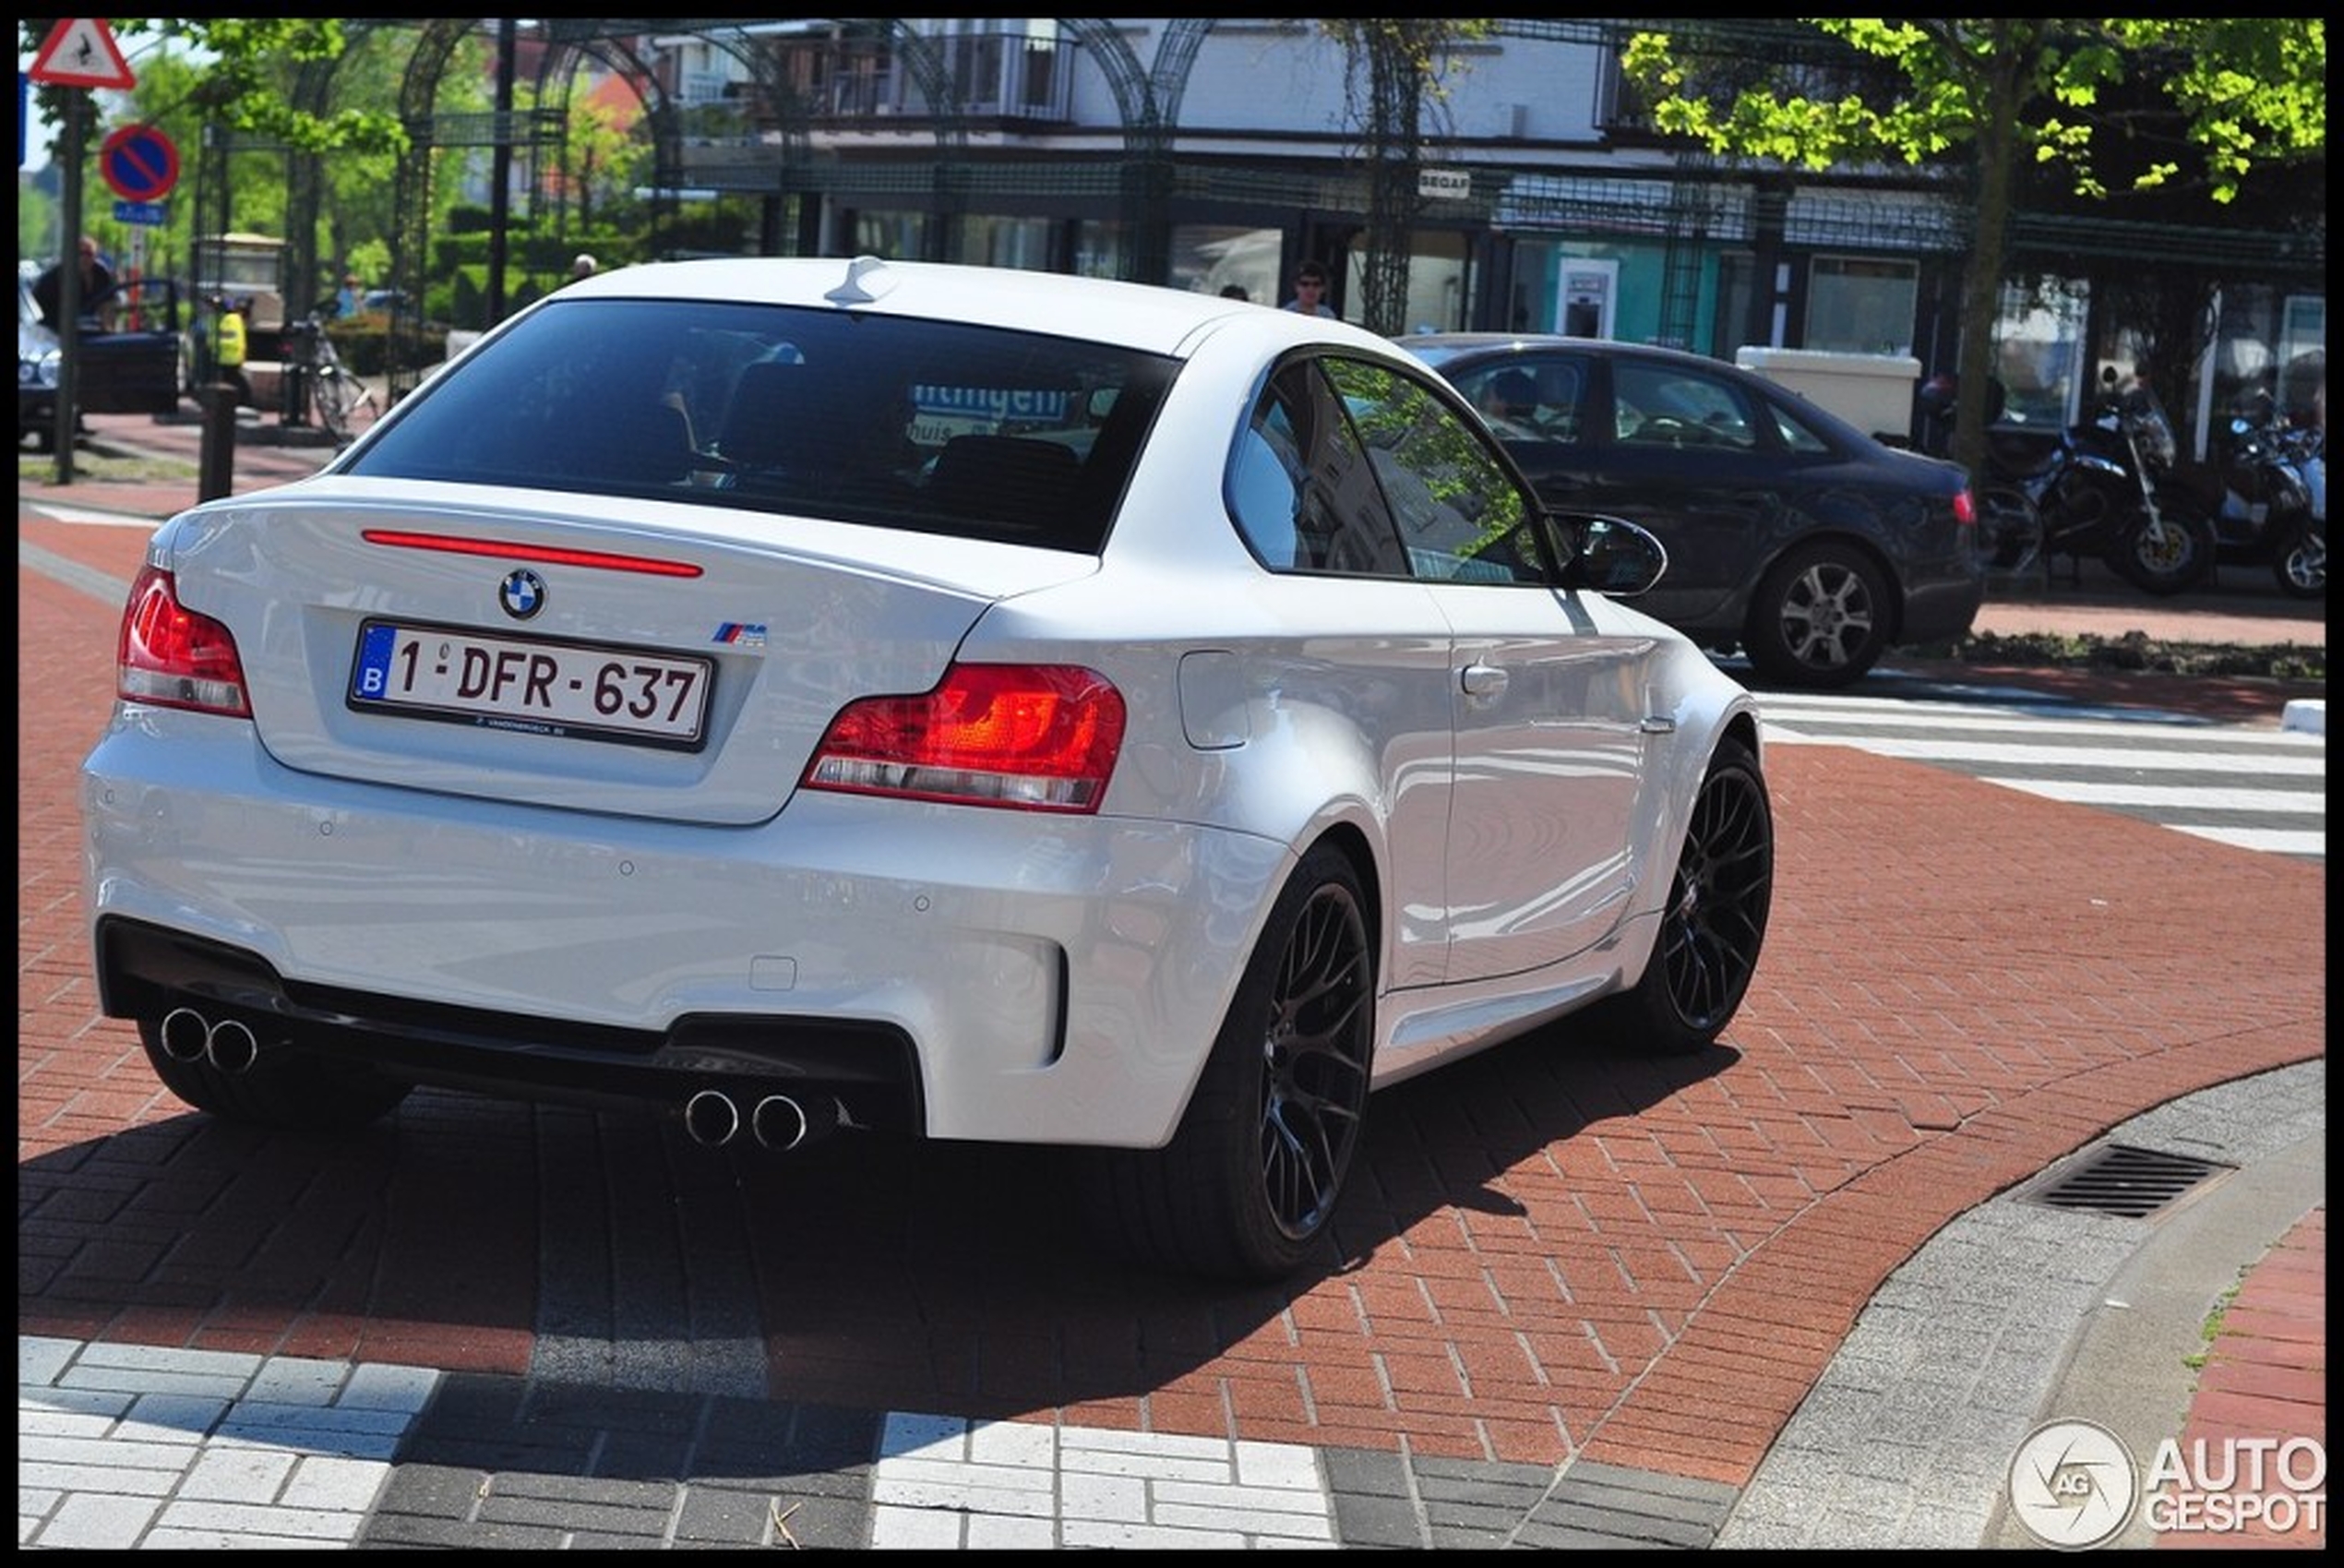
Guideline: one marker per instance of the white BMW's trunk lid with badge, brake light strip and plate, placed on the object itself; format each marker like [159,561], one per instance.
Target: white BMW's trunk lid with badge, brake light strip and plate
[575,653]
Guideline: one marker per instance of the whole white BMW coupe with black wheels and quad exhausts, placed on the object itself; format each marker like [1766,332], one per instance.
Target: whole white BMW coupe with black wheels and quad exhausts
[852,697]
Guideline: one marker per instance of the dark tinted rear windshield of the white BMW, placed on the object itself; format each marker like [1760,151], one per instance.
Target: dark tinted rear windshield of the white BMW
[920,425]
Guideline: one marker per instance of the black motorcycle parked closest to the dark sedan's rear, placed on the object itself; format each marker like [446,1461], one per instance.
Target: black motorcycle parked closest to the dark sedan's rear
[2104,486]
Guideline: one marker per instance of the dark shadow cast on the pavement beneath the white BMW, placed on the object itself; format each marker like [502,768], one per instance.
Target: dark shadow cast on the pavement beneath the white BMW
[878,1274]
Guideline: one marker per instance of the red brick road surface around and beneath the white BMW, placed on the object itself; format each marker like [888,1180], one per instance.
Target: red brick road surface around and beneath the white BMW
[1555,1257]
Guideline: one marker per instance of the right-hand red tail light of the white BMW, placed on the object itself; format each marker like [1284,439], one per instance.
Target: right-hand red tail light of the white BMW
[1033,737]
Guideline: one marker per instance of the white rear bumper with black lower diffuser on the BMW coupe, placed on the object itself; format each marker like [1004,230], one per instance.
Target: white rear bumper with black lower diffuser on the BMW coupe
[1051,979]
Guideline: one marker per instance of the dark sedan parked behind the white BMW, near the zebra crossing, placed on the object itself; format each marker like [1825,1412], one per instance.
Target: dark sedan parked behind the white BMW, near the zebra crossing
[1792,536]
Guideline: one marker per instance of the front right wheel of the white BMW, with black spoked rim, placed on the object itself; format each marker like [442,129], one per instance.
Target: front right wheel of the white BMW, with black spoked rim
[1715,922]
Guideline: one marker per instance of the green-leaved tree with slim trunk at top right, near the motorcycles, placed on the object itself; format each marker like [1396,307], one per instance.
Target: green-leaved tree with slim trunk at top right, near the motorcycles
[2012,93]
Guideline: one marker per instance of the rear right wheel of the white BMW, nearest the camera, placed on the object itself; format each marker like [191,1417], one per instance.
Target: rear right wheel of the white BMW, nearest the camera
[1251,1182]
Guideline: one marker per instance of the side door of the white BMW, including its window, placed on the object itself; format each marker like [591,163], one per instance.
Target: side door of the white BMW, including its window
[1548,709]
